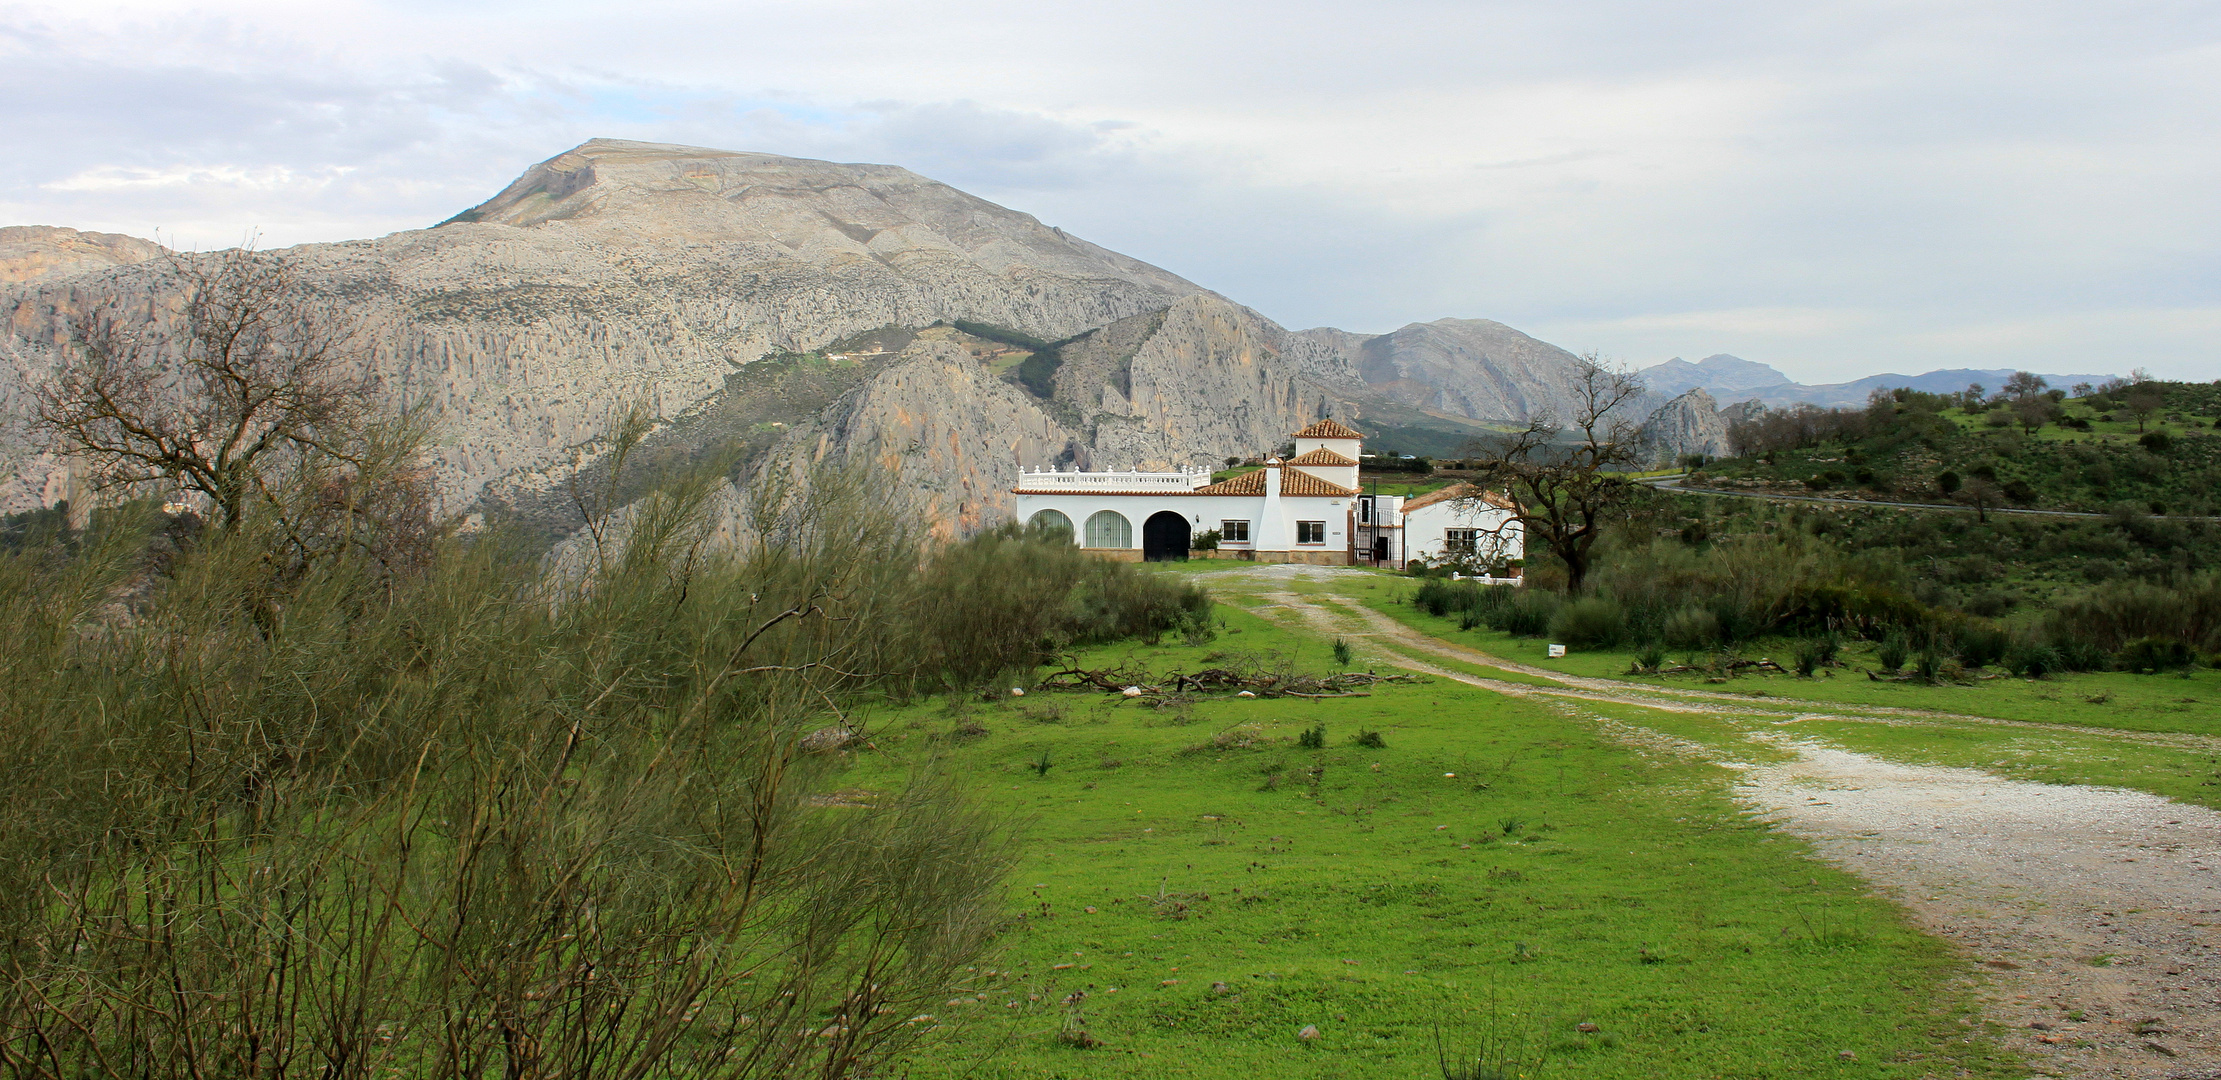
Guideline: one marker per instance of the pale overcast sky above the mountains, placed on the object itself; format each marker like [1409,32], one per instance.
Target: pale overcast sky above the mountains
[1836,190]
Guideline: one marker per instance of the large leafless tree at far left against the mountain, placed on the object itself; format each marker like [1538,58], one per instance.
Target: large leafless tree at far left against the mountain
[250,381]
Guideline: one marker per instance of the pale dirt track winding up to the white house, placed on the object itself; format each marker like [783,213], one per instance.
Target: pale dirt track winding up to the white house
[2093,912]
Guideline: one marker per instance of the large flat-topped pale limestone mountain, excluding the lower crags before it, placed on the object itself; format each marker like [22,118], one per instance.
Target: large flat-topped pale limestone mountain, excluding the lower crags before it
[623,272]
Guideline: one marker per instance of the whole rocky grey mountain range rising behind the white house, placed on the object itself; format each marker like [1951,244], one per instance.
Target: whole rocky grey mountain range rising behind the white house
[656,274]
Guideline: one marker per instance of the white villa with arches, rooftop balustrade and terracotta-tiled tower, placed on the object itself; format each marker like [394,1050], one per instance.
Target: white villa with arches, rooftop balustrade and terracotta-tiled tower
[1298,510]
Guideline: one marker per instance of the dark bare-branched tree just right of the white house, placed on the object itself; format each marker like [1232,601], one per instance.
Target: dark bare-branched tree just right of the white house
[1562,494]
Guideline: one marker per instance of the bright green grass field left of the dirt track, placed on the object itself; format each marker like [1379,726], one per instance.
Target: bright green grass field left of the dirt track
[1496,872]
